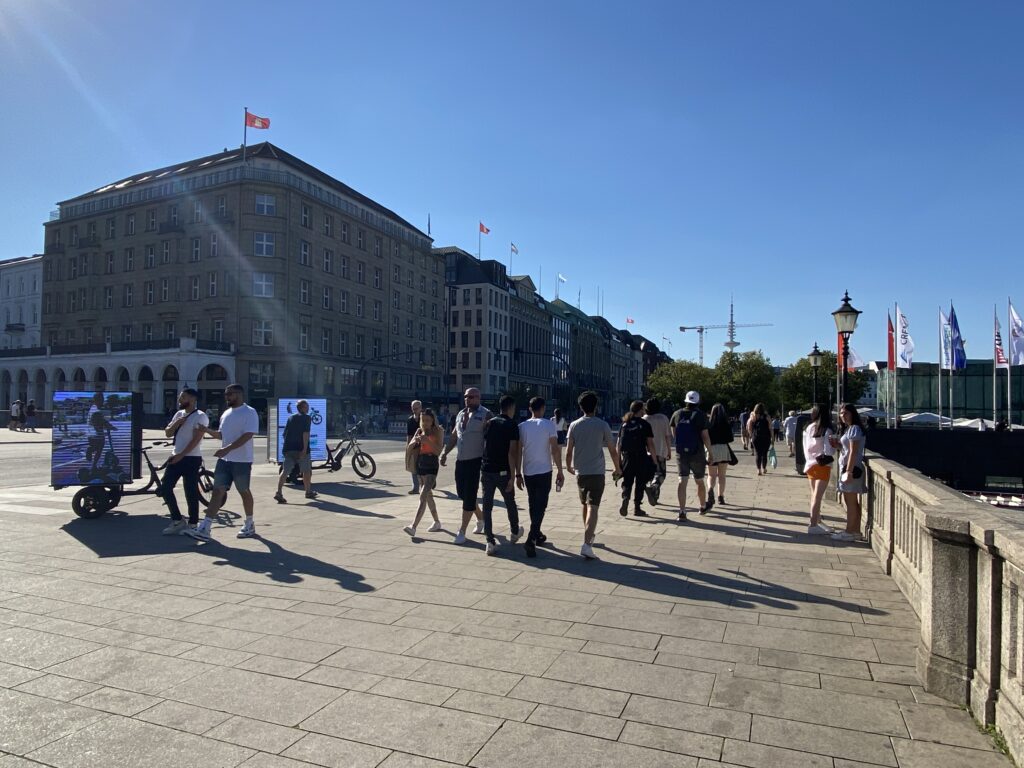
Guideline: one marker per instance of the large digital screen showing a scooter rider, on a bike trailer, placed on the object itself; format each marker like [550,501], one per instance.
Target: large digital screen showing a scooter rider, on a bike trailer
[93,439]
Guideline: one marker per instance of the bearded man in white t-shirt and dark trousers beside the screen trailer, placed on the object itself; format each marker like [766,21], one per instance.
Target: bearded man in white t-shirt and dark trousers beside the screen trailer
[187,430]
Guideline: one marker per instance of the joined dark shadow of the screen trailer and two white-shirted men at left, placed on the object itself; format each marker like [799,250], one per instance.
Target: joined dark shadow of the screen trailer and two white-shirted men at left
[121,535]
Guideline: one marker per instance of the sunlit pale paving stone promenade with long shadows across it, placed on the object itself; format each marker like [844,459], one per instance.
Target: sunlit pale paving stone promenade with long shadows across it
[334,639]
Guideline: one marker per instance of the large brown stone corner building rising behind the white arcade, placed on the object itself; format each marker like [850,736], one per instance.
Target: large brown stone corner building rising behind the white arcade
[310,287]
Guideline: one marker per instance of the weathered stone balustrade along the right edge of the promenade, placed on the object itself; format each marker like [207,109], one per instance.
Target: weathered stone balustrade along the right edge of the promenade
[961,566]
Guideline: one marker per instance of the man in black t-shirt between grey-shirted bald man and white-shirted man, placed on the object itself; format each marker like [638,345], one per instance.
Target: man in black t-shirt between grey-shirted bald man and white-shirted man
[501,454]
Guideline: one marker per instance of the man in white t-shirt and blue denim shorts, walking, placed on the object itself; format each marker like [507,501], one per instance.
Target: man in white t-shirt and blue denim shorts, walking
[239,424]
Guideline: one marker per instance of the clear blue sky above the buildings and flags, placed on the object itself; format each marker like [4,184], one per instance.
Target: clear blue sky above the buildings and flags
[671,154]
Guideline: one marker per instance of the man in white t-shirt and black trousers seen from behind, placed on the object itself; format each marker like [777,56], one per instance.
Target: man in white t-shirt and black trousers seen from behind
[539,448]
